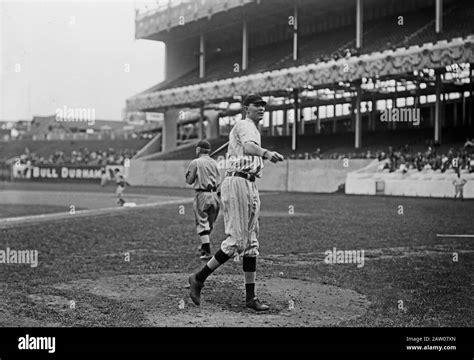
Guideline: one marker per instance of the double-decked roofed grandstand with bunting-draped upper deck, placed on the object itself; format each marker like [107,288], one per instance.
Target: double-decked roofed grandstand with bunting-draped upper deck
[328,69]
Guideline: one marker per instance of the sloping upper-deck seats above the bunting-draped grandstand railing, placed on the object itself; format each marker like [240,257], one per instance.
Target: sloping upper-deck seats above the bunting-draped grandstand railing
[380,34]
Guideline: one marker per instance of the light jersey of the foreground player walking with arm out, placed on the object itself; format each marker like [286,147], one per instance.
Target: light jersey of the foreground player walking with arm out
[243,131]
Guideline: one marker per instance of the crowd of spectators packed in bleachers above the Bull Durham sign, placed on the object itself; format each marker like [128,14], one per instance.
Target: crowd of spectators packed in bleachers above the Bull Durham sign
[81,156]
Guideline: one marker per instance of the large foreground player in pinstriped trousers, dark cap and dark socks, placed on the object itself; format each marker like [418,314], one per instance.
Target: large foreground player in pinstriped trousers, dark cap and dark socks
[240,202]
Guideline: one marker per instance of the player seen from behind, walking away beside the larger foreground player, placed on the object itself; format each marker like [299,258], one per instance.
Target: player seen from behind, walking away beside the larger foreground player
[203,173]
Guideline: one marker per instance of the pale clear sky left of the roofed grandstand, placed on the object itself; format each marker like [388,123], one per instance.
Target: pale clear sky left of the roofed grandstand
[73,55]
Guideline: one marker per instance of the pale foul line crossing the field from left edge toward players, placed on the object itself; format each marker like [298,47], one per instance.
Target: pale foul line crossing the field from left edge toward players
[24,220]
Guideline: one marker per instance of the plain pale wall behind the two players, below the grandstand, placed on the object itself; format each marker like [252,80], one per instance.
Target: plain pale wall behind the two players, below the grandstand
[323,176]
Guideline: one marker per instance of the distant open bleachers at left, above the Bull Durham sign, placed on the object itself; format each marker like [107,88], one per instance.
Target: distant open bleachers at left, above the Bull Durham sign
[46,137]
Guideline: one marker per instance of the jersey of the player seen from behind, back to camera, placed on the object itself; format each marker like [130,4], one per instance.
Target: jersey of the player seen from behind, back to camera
[203,173]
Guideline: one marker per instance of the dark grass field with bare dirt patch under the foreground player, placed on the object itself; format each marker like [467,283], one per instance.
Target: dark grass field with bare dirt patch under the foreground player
[84,261]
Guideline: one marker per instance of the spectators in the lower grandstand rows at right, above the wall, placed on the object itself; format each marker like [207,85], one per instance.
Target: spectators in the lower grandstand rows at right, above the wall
[404,159]
